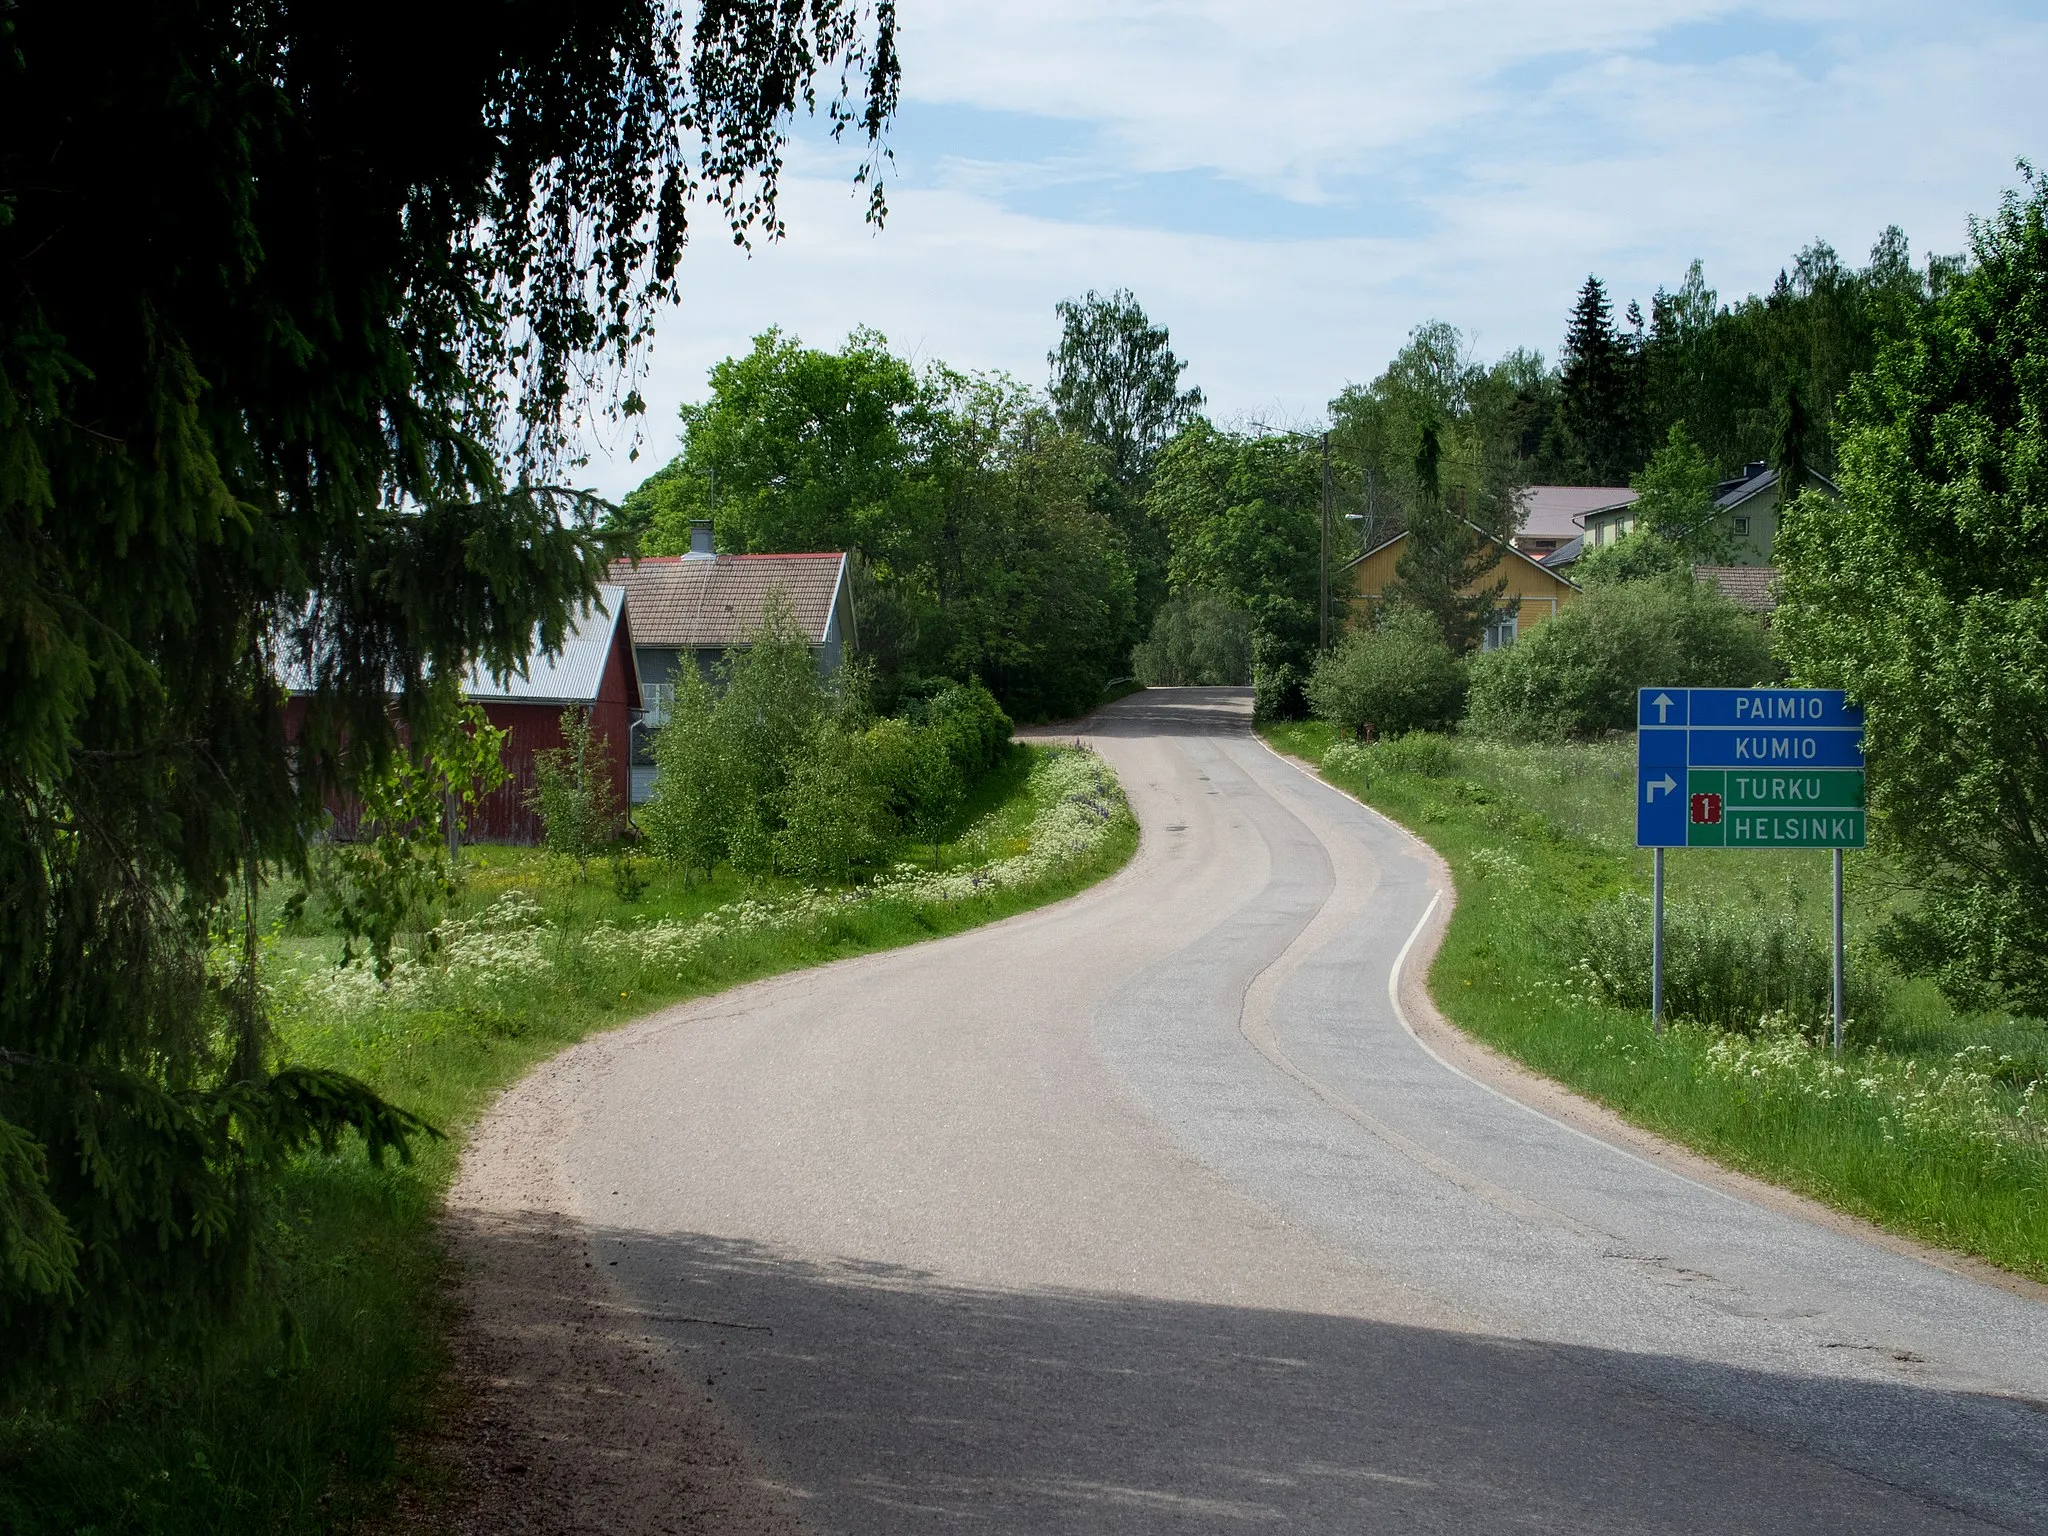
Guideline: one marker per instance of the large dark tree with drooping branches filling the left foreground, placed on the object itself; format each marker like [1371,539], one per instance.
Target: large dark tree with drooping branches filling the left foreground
[261,441]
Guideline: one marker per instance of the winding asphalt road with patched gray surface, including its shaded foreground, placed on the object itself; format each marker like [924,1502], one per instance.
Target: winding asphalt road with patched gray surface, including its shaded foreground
[1146,1213]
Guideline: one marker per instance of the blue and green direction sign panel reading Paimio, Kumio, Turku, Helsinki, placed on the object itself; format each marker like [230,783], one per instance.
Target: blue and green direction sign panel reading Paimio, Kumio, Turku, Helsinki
[1750,769]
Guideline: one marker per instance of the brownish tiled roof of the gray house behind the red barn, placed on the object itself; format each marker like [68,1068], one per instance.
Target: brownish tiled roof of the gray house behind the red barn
[716,603]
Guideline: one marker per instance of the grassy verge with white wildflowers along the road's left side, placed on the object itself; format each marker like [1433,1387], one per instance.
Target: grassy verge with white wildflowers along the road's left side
[302,1426]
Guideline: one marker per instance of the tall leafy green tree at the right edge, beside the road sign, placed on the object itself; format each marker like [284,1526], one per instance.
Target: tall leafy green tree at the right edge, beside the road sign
[1924,593]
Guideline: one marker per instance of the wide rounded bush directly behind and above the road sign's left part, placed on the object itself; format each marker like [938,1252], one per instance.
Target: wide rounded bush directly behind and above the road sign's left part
[1578,675]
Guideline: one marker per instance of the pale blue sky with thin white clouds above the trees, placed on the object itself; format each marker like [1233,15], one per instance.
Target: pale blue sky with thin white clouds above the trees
[1291,187]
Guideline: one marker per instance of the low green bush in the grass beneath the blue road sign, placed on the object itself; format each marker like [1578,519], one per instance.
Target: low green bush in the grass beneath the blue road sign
[1725,968]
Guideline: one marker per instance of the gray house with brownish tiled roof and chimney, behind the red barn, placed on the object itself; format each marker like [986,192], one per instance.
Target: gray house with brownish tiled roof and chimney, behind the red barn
[693,609]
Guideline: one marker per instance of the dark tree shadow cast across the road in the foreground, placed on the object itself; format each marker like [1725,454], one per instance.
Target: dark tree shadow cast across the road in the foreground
[884,1400]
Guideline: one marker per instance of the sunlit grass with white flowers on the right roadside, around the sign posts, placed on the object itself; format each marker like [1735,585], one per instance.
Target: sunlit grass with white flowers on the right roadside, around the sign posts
[1928,1127]
